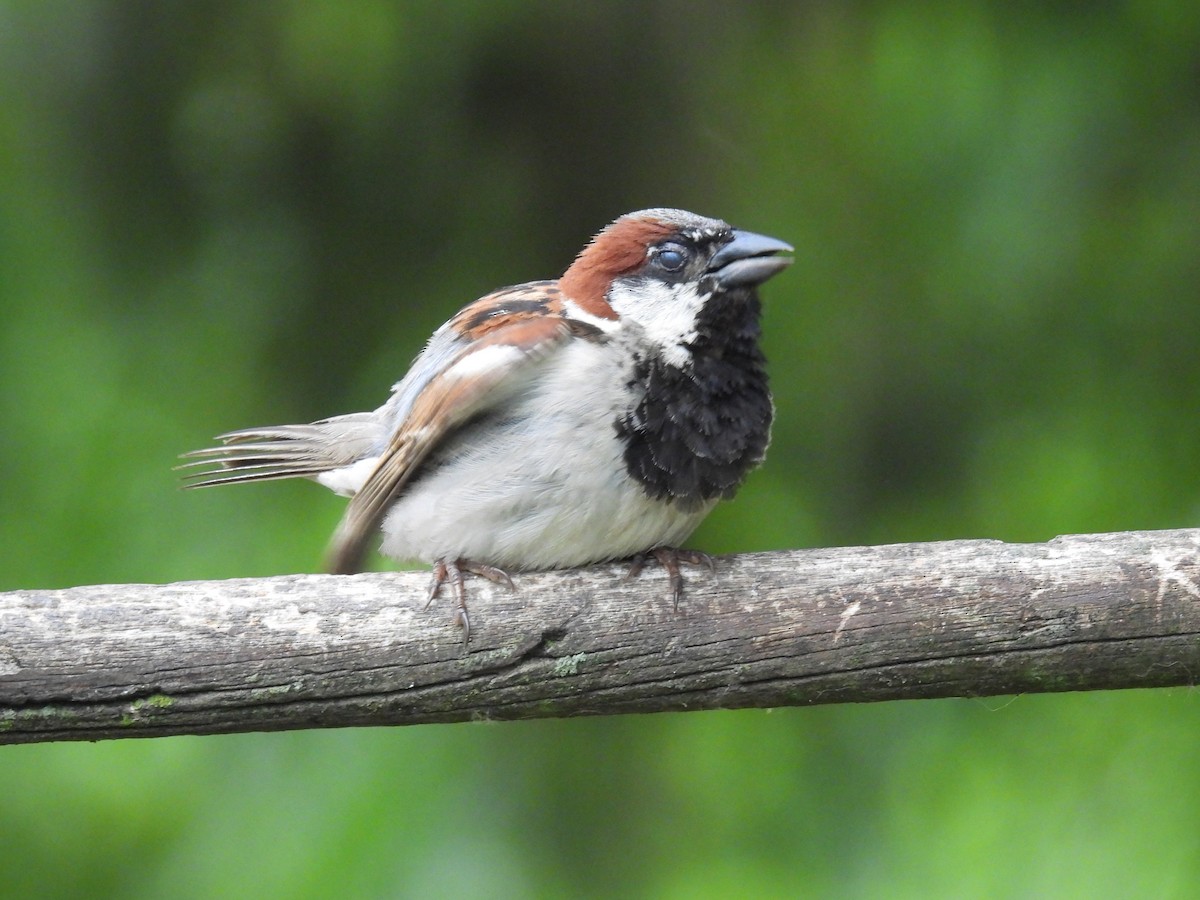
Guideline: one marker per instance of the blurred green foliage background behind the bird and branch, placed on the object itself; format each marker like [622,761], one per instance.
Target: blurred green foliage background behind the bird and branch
[226,214]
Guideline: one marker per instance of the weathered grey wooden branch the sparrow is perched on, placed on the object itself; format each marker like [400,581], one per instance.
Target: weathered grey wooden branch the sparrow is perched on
[958,619]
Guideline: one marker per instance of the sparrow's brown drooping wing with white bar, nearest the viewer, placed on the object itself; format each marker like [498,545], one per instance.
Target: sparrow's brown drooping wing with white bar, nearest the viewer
[483,375]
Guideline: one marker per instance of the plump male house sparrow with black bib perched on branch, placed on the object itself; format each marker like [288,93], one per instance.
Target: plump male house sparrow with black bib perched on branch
[557,423]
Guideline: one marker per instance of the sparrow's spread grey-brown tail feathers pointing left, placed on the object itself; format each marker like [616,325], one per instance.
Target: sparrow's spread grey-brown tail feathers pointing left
[285,452]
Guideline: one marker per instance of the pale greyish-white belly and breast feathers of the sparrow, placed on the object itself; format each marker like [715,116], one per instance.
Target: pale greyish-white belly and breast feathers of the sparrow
[545,488]
